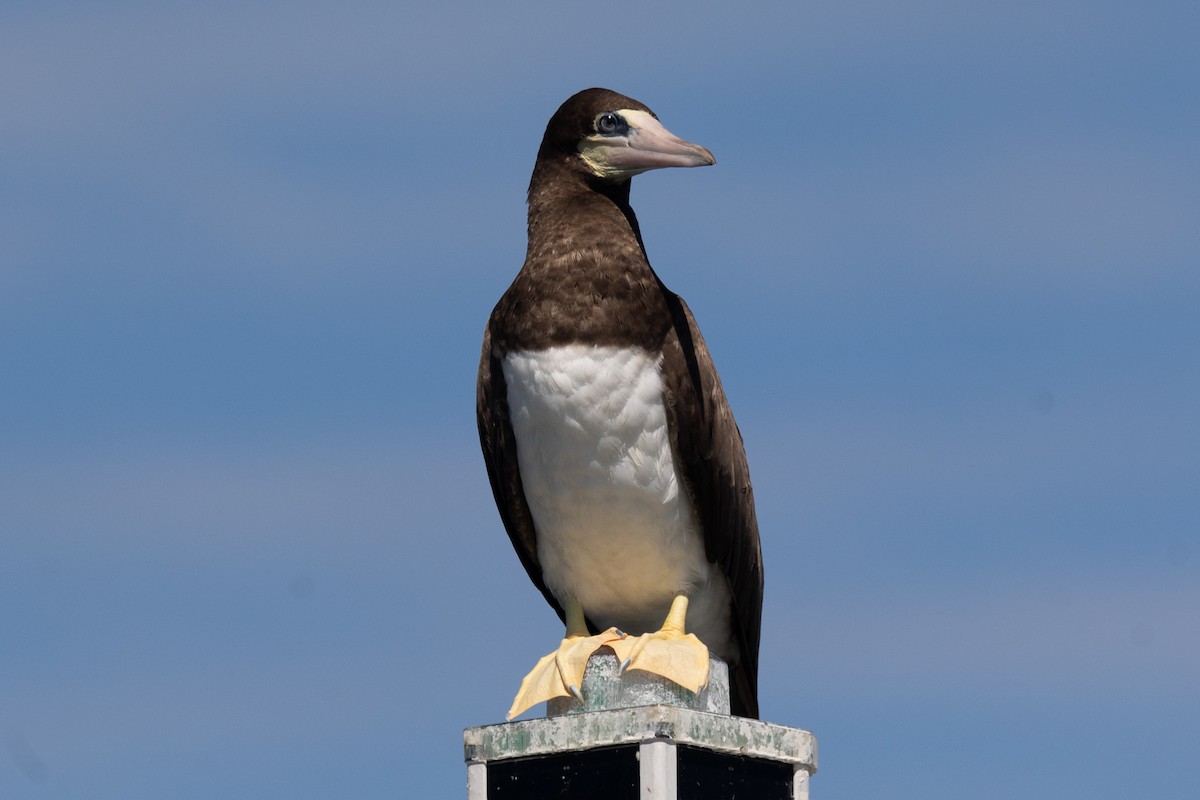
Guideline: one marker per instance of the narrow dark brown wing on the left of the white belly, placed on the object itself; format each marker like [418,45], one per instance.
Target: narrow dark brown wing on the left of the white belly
[500,447]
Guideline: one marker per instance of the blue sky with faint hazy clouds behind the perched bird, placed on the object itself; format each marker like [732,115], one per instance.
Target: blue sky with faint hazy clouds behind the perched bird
[949,264]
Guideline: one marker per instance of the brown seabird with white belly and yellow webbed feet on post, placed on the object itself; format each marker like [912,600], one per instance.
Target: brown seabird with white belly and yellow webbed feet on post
[614,458]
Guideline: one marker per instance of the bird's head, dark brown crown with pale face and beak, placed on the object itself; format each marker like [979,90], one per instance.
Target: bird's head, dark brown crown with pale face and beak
[614,139]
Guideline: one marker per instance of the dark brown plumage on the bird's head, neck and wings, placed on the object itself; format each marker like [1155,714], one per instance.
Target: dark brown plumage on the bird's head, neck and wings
[587,281]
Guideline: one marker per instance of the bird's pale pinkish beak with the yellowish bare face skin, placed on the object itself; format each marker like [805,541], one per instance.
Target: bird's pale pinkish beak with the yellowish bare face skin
[647,146]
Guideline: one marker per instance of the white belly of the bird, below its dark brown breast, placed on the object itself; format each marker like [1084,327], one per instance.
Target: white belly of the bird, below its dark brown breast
[616,530]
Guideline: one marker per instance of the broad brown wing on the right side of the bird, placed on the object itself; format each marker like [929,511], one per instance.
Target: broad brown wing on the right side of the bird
[713,464]
